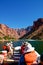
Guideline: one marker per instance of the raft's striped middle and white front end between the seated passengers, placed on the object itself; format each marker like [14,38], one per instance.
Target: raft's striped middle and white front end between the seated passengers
[15,58]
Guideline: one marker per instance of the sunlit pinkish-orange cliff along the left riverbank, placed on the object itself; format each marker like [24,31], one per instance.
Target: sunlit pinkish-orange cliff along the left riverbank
[6,31]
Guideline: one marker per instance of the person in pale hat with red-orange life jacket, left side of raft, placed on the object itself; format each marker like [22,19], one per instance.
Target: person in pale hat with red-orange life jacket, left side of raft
[9,48]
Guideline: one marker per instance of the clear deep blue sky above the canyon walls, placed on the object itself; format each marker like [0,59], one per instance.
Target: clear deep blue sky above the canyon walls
[20,13]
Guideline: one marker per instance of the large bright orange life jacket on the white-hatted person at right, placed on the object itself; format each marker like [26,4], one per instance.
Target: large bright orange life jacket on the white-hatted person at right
[30,57]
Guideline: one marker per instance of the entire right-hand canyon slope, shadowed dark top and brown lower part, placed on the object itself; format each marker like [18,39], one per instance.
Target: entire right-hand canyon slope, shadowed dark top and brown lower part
[36,31]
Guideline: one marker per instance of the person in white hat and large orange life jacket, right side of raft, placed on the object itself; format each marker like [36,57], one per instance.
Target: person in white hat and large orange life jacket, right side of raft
[29,55]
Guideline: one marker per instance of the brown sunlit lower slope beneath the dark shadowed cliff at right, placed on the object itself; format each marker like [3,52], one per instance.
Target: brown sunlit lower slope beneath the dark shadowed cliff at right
[38,34]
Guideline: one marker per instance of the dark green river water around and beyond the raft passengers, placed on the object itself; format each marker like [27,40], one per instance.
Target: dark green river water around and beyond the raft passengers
[37,44]
